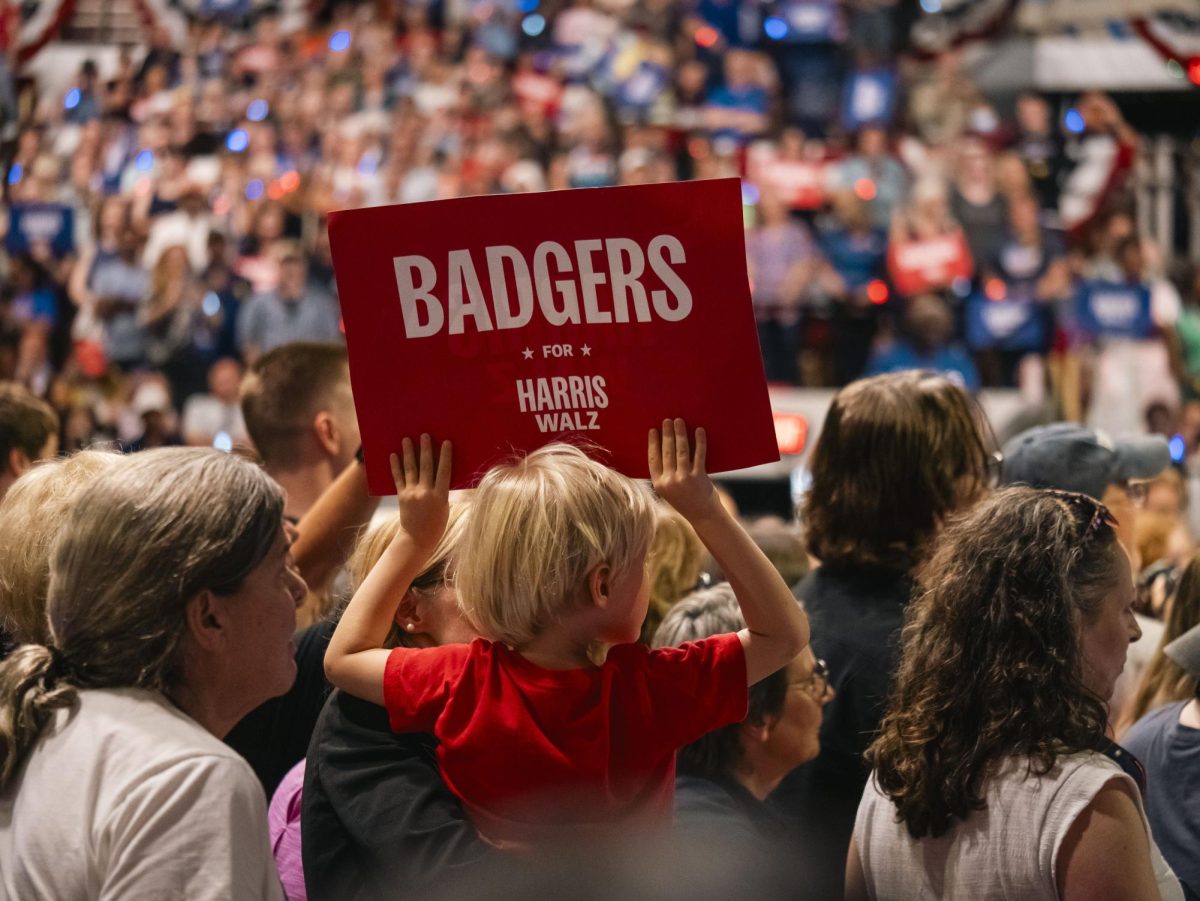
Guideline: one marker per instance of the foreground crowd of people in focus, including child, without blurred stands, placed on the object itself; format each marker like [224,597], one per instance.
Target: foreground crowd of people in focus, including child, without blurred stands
[483,692]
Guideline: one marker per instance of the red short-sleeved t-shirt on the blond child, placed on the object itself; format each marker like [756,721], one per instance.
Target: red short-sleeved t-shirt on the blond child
[537,753]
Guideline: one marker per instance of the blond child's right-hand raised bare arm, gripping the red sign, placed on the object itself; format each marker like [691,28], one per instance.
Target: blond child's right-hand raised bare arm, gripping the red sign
[777,628]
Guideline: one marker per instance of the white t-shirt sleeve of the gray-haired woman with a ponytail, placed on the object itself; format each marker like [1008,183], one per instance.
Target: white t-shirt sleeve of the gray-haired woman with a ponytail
[195,830]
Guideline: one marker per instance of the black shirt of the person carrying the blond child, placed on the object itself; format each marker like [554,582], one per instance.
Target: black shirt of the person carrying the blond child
[377,821]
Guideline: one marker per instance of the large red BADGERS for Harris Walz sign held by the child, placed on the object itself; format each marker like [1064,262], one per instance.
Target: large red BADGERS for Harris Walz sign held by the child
[507,322]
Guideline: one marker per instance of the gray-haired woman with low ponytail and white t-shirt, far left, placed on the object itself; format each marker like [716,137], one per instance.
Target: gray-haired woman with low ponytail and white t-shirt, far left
[172,606]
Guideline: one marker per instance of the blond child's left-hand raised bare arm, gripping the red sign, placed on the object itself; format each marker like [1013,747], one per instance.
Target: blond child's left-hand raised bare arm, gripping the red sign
[356,659]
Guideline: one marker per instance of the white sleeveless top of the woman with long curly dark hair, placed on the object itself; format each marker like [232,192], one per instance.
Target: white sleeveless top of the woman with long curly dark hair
[1006,852]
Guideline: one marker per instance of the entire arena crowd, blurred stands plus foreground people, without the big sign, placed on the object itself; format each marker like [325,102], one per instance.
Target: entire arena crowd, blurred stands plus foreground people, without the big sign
[967,669]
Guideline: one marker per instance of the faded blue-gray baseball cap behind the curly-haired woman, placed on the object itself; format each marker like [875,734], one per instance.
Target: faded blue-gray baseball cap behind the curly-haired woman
[1070,458]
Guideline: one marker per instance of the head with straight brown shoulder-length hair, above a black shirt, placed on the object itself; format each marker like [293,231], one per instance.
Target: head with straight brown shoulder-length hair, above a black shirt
[897,455]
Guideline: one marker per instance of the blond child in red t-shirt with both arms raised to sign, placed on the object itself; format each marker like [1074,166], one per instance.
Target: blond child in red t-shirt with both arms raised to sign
[557,720]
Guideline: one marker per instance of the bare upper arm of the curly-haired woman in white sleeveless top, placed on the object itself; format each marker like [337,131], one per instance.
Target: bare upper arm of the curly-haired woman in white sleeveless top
[1106,854]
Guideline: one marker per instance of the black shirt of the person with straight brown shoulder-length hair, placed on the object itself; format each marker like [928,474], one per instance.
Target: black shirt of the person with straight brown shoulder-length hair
[856,614]
